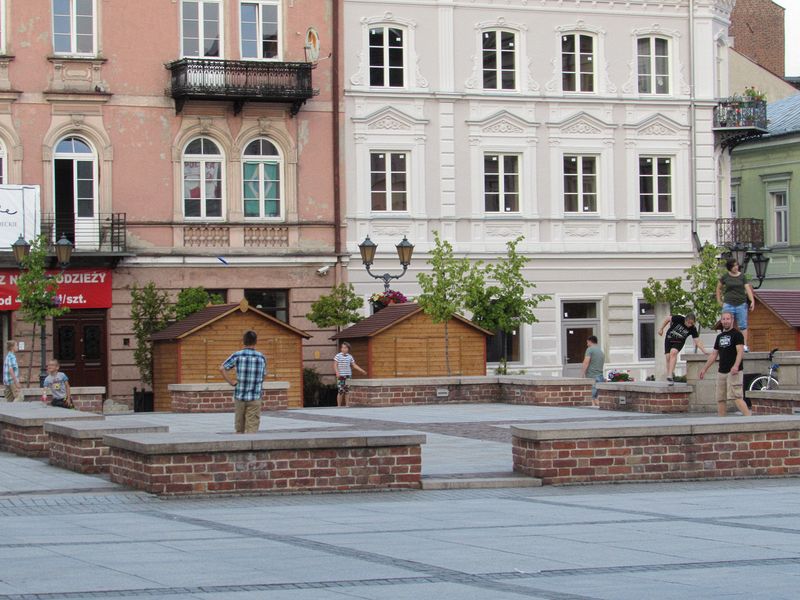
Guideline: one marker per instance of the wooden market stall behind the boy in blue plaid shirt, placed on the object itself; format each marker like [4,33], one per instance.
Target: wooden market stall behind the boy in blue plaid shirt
[192,350]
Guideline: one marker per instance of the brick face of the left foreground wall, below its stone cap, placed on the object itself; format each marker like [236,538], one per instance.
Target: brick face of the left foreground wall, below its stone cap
[297,470]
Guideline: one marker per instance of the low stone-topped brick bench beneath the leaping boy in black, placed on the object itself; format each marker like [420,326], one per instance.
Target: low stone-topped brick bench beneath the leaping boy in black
[645,396]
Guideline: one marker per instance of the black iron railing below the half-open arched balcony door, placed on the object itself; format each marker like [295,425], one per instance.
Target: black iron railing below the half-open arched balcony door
[104,232]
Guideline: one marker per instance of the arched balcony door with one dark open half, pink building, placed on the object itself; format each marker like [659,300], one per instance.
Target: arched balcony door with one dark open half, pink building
[75,192]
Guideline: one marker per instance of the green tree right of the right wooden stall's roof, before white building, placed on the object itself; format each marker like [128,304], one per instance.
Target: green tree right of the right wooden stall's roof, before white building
[506,304]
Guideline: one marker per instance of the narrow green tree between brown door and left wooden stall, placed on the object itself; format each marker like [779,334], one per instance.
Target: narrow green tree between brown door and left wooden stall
[151,311]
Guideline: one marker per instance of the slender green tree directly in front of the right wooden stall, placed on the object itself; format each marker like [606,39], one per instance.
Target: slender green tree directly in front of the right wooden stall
[446,288]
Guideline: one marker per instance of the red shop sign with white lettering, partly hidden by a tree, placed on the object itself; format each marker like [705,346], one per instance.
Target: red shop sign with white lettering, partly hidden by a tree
[77,288]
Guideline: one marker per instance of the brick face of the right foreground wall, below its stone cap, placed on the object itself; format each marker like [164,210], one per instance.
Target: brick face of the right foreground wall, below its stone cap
[656,458]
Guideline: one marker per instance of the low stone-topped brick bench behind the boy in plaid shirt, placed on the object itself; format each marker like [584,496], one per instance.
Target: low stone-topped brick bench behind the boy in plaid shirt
[218,397]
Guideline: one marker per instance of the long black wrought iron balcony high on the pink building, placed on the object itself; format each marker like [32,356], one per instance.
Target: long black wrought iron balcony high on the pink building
[241,81]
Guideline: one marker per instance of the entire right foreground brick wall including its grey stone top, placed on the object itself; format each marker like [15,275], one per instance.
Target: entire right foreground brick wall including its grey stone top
[658,449]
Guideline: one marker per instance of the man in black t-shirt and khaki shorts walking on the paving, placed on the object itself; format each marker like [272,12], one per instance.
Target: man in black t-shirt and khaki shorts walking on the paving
[729,346]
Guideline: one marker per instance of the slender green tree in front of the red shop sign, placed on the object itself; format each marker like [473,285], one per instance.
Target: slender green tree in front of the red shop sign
[38,293]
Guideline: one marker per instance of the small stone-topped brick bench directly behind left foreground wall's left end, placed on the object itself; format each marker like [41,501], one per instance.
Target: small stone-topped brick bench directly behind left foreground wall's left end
[78,445]
